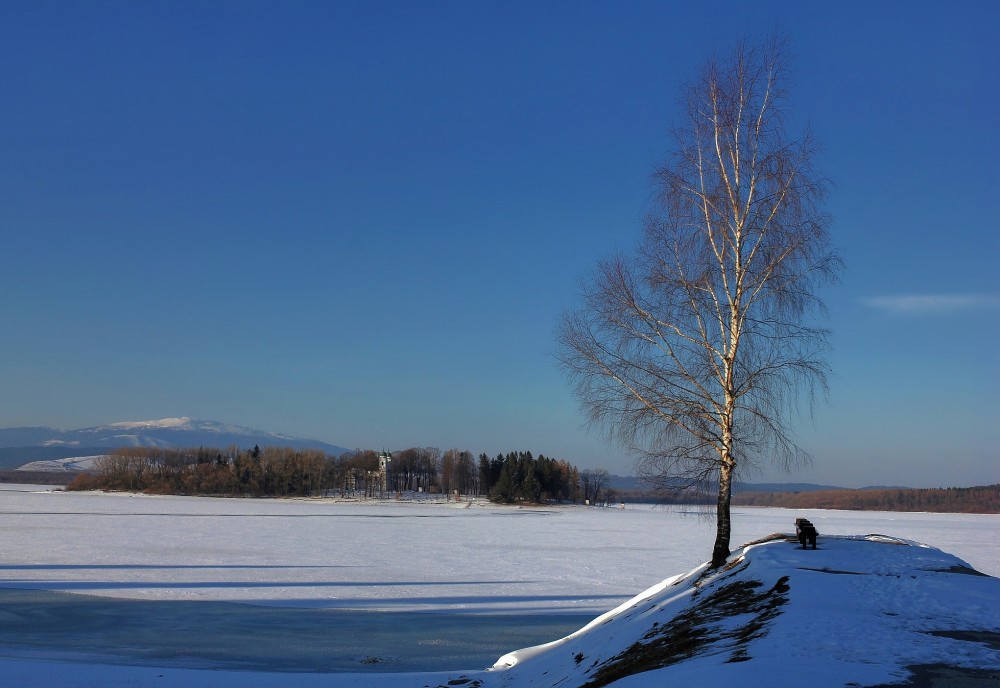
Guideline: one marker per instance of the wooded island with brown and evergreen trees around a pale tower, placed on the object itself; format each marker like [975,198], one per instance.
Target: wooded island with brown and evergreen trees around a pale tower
[284,472]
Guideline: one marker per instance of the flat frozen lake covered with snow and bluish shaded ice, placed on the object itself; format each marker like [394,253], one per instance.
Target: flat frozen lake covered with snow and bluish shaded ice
[351,588]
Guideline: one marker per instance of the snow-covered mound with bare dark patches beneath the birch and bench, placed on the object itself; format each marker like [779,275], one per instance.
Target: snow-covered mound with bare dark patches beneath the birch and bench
[858,611]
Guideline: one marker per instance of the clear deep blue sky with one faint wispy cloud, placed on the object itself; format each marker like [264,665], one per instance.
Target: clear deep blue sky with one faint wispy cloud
[359,222]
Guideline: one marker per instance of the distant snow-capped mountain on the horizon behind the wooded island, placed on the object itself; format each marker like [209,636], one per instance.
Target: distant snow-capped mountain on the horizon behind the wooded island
[25,444]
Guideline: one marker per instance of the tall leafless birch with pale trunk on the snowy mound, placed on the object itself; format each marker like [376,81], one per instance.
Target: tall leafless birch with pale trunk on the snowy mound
[694,351]
